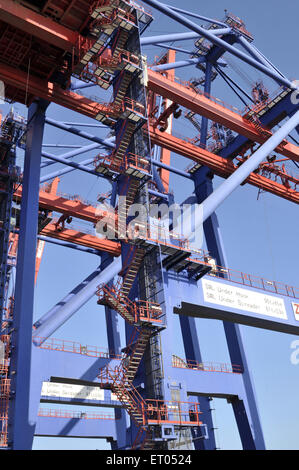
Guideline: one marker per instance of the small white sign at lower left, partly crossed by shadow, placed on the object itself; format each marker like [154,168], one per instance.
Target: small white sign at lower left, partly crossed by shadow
[53,389]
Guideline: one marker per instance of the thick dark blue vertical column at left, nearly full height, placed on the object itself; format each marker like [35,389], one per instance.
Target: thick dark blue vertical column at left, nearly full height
[20,430]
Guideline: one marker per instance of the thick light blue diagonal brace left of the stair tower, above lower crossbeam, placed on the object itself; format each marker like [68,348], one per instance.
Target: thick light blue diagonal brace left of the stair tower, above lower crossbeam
[64,310]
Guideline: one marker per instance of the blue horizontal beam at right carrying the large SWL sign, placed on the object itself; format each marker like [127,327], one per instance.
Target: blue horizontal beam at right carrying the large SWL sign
[266,309]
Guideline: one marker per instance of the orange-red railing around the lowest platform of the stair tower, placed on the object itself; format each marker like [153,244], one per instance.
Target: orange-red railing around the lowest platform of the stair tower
[173,412]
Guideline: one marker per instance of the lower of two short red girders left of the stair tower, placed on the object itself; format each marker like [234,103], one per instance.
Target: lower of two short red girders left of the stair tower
[84,239]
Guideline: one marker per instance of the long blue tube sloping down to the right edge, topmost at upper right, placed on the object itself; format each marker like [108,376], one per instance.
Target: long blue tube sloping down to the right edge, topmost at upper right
[220,42]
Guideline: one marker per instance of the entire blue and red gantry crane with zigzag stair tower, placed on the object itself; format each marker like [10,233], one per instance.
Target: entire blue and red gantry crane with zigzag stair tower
[151,269]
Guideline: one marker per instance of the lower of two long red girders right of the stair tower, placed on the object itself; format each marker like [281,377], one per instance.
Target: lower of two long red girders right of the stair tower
[219,165]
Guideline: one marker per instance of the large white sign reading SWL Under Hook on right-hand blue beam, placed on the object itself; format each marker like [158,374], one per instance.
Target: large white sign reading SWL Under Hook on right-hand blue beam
[244,299]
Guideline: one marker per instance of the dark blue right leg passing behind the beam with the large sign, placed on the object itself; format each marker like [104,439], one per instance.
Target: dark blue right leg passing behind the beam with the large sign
[246,412]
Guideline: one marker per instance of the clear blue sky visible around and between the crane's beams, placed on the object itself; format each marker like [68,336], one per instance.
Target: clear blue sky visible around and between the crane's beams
[259,235]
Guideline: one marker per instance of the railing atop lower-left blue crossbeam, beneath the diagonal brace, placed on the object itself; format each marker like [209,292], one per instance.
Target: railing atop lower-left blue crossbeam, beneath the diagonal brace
[55,344]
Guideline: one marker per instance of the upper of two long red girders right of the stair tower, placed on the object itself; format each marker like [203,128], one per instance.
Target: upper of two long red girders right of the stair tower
[204,106]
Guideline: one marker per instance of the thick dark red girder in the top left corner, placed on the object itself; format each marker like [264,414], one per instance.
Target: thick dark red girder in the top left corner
[38,25]
